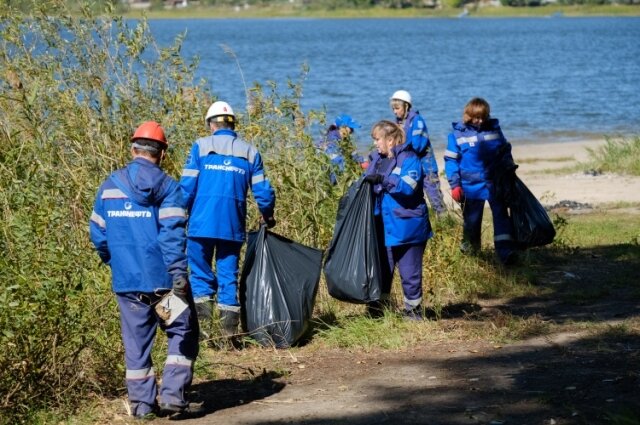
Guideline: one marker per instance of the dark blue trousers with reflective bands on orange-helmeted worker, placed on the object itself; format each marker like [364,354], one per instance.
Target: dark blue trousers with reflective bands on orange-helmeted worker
[139,323]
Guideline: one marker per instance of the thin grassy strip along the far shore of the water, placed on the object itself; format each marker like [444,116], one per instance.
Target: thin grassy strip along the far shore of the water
[198,12]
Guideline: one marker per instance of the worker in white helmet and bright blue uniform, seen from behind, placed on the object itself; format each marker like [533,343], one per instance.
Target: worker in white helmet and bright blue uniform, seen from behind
[215,180]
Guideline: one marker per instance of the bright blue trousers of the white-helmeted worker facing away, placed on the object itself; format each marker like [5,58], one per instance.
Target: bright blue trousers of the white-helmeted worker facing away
[224,282]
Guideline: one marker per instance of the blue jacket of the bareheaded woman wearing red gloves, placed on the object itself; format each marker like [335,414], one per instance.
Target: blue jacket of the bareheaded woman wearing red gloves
[473,155]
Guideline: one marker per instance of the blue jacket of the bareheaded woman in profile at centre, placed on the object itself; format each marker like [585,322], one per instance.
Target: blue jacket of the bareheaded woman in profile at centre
[399,198]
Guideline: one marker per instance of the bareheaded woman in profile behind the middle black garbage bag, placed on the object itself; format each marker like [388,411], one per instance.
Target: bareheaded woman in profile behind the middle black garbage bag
[401,214]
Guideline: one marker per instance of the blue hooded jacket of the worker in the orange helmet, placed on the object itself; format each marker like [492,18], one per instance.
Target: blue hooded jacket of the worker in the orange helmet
[138,228]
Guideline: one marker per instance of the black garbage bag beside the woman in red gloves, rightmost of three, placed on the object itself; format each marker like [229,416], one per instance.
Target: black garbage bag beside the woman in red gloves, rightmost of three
[531,223]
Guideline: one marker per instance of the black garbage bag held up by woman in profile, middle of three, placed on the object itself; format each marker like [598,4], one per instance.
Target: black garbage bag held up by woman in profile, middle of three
[352,266]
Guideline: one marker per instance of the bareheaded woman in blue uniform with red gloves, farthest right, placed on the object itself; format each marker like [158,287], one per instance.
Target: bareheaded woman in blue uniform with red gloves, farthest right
[476,151]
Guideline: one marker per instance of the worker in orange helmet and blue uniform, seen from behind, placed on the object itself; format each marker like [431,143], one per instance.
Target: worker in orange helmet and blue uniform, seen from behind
[138,228]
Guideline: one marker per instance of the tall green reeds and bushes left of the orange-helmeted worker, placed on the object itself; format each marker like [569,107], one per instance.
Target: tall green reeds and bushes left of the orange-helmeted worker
[72,91]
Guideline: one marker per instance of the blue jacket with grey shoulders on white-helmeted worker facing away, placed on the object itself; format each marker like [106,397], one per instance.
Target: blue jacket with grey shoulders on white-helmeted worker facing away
[215,180]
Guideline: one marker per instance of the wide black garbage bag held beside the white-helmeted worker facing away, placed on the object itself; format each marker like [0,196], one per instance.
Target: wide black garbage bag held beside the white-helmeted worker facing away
[278,287]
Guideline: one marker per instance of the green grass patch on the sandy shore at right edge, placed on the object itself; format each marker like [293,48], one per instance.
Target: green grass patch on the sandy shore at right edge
[617,156]
